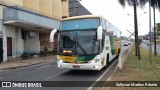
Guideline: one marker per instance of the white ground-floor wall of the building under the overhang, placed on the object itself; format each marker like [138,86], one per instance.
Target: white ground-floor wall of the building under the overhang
[18,44]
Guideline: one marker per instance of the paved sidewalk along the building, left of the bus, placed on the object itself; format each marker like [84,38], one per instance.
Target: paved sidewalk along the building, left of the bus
[27,62]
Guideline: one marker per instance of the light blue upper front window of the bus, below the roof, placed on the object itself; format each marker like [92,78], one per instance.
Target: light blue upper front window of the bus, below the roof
[80,24]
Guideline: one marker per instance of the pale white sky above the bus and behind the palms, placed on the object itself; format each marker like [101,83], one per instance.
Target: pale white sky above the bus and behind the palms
[117,15]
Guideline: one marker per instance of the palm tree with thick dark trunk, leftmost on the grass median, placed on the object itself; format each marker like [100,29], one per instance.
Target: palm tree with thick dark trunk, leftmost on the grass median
[135,3]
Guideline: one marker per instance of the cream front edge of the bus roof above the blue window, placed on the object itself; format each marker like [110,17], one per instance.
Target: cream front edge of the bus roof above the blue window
[81,17]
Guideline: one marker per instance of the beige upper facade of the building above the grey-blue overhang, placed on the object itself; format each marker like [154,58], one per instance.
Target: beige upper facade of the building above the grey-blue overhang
[53,8]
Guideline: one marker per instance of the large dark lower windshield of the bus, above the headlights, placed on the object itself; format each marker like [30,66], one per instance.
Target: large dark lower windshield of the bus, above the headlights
[79,42]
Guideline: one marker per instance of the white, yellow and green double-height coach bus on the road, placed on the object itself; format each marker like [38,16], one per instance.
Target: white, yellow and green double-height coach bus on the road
[86,42]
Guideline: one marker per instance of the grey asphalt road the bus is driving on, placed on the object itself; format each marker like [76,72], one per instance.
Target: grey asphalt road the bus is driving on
[50,72]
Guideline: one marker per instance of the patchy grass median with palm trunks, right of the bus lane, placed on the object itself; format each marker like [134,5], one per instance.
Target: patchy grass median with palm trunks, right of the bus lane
[139,70]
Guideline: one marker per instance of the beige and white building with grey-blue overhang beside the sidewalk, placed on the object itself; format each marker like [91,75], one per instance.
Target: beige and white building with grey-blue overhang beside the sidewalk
[25,25]
